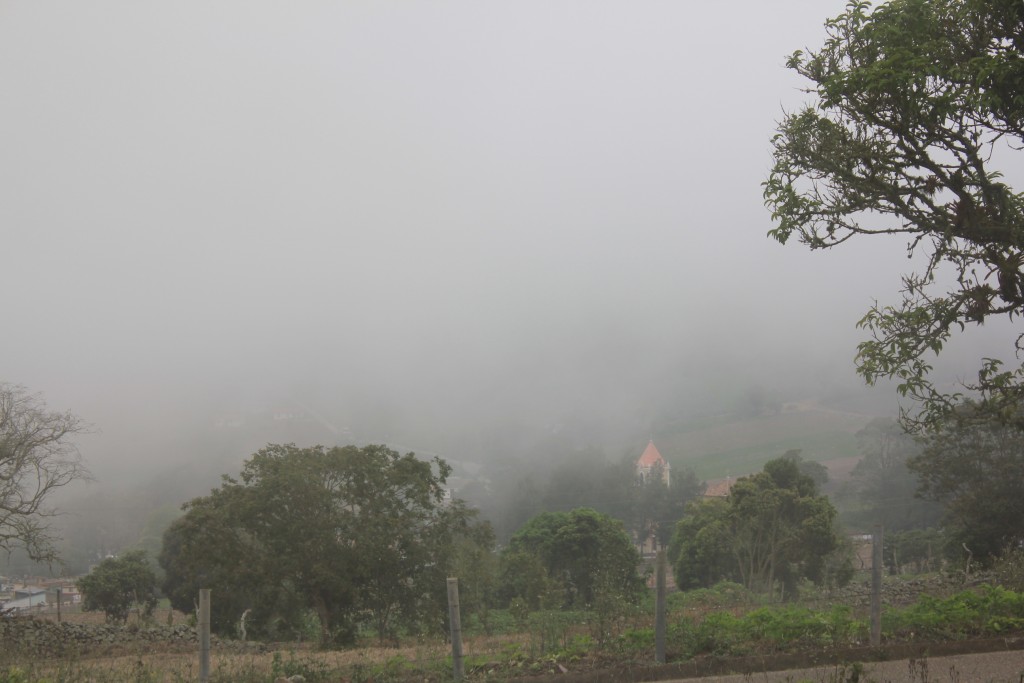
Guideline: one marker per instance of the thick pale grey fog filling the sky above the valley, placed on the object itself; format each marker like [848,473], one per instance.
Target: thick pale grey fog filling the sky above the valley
[416,223]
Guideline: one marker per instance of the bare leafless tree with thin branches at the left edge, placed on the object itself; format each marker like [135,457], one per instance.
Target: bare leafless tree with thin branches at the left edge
[37,457]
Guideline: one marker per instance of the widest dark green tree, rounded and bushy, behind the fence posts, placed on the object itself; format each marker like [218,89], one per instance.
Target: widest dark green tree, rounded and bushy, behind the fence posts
[344,532]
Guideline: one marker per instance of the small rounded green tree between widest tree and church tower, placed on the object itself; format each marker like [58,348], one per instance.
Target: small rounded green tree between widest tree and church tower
[579,551]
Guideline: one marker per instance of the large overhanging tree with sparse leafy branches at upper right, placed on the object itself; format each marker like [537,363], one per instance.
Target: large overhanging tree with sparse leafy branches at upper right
[917,103]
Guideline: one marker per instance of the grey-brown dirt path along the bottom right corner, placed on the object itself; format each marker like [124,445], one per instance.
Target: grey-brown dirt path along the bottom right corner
[982,668]
